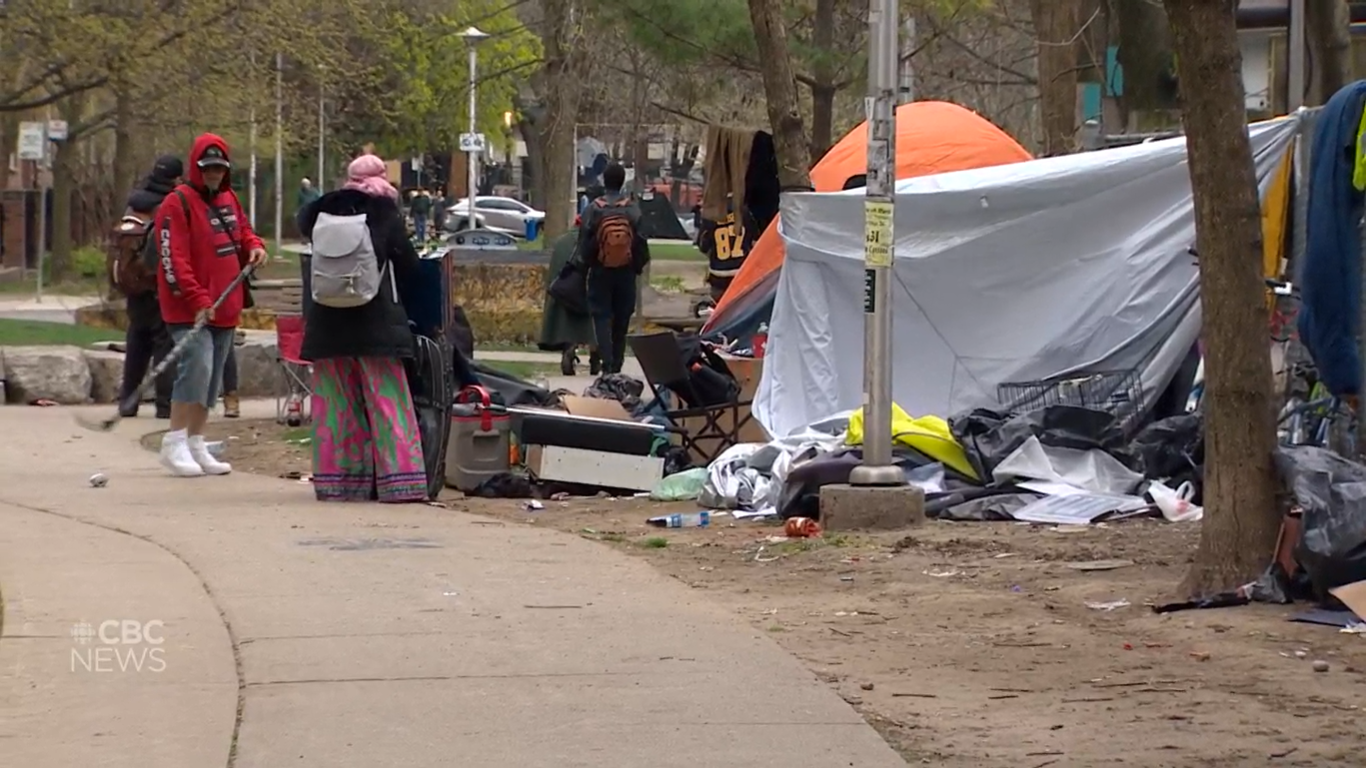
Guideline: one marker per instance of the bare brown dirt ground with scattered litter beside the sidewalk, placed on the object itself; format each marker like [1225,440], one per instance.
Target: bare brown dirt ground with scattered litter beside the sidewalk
[973,644]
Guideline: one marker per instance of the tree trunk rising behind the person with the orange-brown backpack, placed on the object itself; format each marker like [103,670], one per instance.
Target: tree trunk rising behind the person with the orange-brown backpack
[562,107]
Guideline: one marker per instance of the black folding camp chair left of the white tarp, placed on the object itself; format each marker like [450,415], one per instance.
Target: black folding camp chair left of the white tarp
[706,431]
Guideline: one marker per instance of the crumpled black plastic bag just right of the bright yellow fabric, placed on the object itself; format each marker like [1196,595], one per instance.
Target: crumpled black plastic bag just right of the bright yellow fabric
[991,437]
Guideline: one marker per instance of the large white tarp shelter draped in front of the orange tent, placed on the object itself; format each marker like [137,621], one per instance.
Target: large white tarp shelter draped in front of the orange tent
[1010,274]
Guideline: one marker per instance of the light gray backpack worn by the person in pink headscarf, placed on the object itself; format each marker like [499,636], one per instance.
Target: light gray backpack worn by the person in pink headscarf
[346,271]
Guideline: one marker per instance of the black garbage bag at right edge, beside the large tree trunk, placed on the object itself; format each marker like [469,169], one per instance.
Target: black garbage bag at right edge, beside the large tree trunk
[1333,494]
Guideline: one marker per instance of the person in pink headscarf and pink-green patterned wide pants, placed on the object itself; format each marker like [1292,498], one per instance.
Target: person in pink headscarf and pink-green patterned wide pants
[367,445]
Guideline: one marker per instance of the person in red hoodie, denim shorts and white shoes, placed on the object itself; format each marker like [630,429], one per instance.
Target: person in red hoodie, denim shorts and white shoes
[204,243]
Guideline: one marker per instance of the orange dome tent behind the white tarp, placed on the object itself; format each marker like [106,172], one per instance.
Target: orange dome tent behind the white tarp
[932,137]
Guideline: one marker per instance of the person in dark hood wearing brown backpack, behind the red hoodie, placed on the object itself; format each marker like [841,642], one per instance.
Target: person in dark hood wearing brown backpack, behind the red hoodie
[133,271]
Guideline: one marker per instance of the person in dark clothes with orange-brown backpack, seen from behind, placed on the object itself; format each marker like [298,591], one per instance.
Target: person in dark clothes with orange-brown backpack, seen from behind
[615,253]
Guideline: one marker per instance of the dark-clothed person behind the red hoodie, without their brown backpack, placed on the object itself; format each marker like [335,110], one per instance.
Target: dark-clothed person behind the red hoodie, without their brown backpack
[147,341]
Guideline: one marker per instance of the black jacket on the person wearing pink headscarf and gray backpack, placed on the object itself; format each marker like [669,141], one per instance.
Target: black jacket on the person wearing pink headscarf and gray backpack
[379,329]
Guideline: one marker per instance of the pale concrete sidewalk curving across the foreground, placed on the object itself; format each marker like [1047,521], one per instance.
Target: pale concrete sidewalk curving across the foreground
[360,636]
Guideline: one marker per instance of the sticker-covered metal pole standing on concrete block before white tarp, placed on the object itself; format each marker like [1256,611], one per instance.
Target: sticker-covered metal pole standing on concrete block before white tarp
[879,215]
